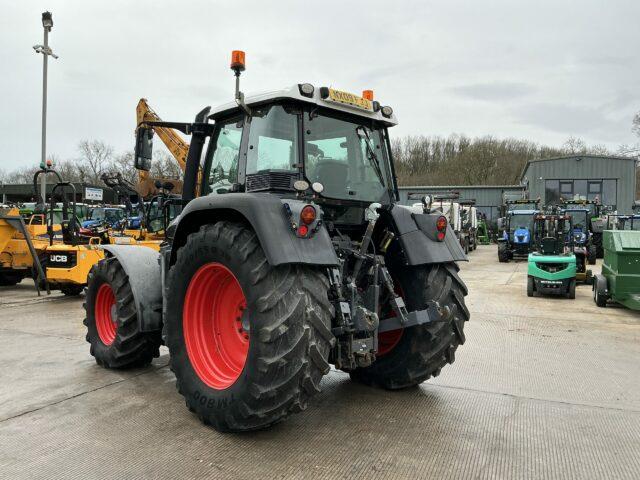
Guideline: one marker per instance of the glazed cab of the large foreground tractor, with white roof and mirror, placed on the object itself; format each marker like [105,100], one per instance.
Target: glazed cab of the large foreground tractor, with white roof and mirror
[325,145]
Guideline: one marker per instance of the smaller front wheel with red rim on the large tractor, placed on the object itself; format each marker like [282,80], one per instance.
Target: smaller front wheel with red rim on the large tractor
[112,320]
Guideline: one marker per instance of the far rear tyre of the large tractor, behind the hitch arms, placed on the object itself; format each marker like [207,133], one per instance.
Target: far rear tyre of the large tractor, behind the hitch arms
[421,352]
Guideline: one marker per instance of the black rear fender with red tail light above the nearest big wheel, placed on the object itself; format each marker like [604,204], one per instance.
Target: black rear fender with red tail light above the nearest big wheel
[267,215]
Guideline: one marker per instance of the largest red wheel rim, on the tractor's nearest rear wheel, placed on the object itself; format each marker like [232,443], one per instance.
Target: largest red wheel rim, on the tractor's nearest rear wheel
[217,345]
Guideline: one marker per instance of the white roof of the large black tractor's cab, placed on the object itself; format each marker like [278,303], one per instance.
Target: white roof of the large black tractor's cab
[293,93]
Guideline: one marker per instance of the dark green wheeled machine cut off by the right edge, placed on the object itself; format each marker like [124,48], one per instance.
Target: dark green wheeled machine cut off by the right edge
[619,280]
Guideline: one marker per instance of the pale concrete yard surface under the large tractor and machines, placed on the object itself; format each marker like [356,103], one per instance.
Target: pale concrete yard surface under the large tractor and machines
[543,388]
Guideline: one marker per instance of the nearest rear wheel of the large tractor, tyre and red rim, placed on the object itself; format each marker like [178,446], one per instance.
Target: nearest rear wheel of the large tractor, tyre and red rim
[249,342]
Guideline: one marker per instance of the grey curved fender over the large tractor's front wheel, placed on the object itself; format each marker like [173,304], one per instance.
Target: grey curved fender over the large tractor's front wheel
[142,266]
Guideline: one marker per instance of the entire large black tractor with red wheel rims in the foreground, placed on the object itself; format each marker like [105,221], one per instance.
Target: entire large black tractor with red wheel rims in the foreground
[291,254]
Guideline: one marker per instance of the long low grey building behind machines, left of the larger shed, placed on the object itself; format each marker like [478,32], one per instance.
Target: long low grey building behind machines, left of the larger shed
[488,198]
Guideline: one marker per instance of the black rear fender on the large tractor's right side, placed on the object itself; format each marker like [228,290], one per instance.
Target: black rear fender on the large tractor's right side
[417,236]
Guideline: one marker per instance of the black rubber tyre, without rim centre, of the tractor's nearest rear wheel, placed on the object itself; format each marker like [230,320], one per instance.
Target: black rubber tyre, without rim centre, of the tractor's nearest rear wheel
[288,317]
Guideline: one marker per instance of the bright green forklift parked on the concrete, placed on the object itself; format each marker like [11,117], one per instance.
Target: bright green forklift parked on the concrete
[552,266]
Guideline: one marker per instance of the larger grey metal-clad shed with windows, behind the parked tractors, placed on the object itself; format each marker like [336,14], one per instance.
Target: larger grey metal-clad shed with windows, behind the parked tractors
[612,179]
